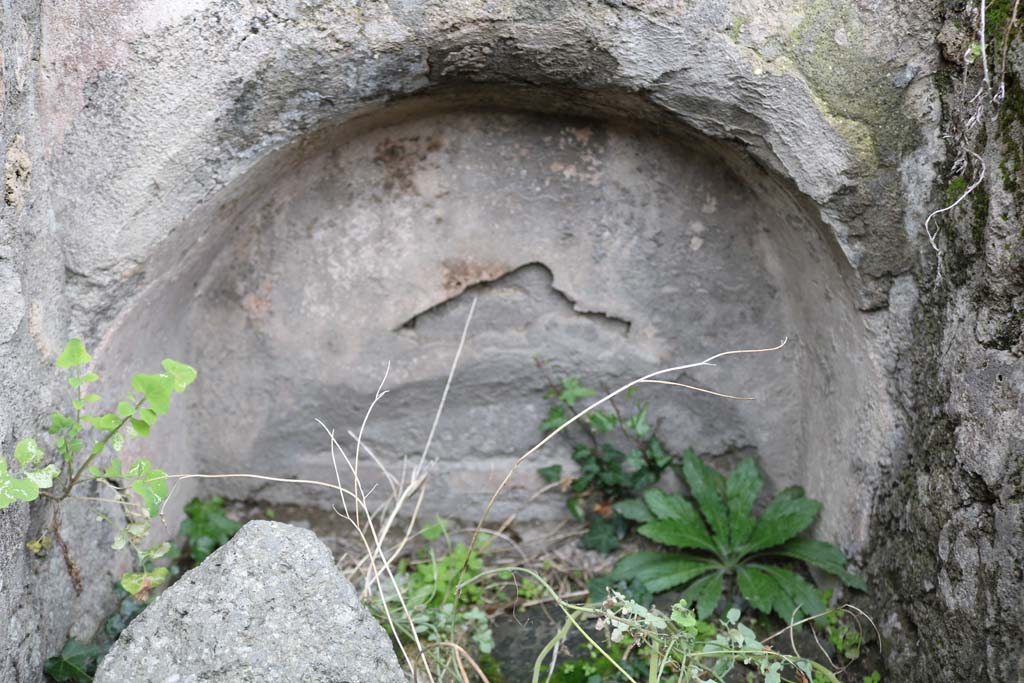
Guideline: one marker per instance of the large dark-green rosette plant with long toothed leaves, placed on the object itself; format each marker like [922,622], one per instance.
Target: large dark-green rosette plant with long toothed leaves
[729,542]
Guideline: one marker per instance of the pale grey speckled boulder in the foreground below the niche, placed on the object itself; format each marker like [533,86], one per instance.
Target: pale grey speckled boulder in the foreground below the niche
[270,607]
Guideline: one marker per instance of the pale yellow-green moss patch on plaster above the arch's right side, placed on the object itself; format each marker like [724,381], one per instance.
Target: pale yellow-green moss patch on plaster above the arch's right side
[851,83]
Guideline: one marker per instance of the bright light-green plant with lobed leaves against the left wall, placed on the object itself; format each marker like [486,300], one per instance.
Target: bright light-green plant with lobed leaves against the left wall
[79,440]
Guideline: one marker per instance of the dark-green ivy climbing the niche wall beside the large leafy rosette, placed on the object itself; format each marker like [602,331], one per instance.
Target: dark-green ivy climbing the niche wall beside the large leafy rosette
[619,457]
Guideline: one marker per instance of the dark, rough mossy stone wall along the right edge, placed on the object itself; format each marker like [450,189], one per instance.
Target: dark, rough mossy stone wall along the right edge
[951,522]
